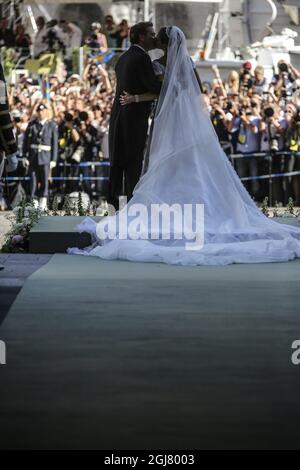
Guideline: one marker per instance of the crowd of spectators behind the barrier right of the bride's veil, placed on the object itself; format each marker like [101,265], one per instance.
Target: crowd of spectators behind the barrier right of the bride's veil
[254,115]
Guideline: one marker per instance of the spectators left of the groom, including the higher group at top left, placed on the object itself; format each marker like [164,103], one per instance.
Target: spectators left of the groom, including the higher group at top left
[80,106]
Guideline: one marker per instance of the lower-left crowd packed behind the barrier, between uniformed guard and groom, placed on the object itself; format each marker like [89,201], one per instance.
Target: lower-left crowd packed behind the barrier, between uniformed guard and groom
[81,108]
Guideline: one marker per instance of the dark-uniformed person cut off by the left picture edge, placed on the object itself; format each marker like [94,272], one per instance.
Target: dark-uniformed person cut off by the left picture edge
[8,145]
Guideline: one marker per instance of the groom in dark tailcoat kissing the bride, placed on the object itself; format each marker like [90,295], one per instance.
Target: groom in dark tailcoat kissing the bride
[129,124]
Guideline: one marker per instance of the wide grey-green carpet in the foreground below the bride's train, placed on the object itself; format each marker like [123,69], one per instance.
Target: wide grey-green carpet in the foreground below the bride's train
[119,355]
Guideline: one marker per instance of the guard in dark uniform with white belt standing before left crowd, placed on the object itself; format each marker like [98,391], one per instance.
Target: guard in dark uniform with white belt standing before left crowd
[40,147]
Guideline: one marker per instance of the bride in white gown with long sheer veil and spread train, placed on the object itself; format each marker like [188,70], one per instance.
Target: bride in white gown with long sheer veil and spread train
[188,166]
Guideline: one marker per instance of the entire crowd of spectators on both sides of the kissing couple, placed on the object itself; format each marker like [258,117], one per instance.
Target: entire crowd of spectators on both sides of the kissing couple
[250,113]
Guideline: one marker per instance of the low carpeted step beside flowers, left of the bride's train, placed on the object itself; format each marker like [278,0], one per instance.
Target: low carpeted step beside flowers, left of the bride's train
[54,234]
